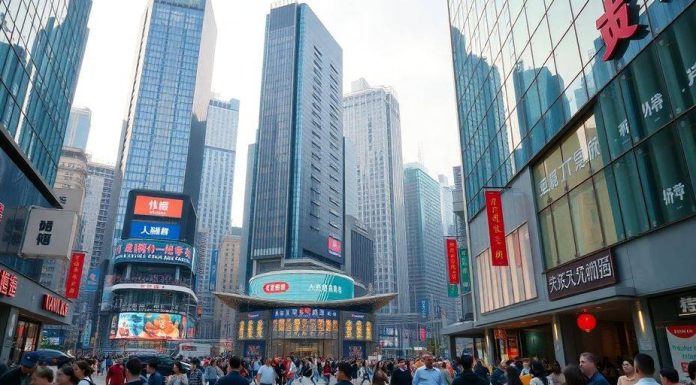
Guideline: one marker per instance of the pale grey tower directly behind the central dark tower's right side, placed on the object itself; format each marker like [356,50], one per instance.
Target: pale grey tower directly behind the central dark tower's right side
[371,121]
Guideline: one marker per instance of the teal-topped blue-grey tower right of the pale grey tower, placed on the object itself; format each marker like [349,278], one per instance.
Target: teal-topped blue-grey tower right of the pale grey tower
[425,244]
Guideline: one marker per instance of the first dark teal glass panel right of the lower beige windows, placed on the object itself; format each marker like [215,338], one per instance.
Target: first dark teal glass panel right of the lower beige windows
[628,188]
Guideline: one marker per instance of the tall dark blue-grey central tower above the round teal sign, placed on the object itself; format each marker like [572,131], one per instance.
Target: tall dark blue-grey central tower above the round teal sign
[298,176]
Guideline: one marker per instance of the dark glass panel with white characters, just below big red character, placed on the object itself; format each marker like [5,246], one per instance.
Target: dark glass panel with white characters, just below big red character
[645,96]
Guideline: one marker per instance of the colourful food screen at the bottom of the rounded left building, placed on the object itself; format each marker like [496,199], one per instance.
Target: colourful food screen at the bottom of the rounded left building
[148,326]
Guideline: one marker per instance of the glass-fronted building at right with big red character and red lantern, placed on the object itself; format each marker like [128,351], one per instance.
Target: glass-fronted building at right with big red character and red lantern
[580,198]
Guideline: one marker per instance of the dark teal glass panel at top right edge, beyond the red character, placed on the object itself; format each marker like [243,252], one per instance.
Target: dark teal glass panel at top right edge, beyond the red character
[678,55]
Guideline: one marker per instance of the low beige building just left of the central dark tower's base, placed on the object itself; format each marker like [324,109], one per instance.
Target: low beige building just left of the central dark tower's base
[227,279]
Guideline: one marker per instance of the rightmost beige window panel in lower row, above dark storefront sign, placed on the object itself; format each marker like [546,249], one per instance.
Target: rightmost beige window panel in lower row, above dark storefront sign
[585,215]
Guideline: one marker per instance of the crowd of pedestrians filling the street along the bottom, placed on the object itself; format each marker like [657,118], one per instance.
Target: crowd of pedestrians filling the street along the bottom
[425,370]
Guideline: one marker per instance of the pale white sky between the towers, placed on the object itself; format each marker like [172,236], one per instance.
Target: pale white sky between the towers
[403,44]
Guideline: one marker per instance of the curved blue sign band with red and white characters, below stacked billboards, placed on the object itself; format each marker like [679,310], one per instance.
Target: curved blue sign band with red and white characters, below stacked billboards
[154,251]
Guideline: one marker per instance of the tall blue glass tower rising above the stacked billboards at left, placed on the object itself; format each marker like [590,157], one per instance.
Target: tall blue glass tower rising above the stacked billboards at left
[162,140]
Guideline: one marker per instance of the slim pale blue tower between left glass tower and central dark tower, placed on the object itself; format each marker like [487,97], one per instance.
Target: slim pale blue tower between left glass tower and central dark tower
[215,200]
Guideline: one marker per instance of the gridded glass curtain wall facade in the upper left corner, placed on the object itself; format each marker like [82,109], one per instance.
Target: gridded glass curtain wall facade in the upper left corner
[41,48]
